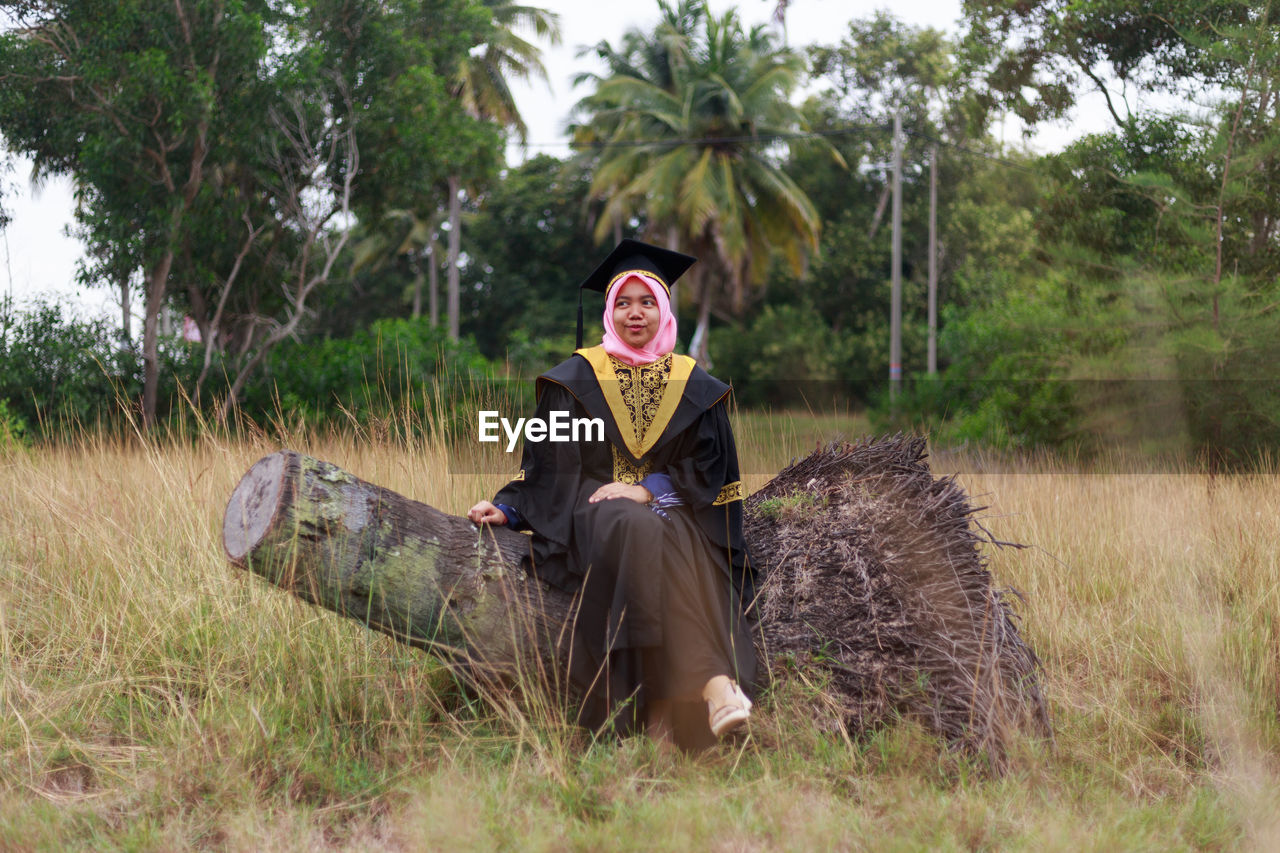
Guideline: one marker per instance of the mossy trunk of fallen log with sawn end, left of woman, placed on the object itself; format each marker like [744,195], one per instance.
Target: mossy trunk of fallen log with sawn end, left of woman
[396,565]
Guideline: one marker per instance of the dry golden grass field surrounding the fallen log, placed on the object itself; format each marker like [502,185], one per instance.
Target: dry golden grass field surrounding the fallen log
[154,699]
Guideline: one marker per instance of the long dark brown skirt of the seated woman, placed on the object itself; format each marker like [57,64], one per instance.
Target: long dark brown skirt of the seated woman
[659,618]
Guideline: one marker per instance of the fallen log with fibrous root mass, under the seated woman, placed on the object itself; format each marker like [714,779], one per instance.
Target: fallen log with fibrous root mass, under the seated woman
[872,574]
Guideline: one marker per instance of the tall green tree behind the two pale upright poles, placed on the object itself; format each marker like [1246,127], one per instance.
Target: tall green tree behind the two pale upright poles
[879,69]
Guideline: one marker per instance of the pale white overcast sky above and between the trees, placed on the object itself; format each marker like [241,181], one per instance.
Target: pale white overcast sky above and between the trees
[40,258]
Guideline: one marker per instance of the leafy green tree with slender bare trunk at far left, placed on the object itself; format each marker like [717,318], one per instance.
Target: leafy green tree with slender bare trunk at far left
[134,99]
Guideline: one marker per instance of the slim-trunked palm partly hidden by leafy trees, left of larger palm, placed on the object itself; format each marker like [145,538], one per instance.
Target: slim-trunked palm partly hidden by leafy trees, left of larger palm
[482,85]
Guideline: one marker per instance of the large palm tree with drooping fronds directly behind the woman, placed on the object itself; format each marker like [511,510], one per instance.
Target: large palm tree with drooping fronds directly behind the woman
[688,130]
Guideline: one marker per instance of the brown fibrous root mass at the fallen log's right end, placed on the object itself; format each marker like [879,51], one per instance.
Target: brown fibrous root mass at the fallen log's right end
[874,573]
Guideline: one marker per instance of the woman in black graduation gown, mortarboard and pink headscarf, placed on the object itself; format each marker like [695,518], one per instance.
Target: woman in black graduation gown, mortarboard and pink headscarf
[647,523]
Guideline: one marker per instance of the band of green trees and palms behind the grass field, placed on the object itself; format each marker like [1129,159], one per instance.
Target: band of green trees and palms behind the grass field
[281,172]
